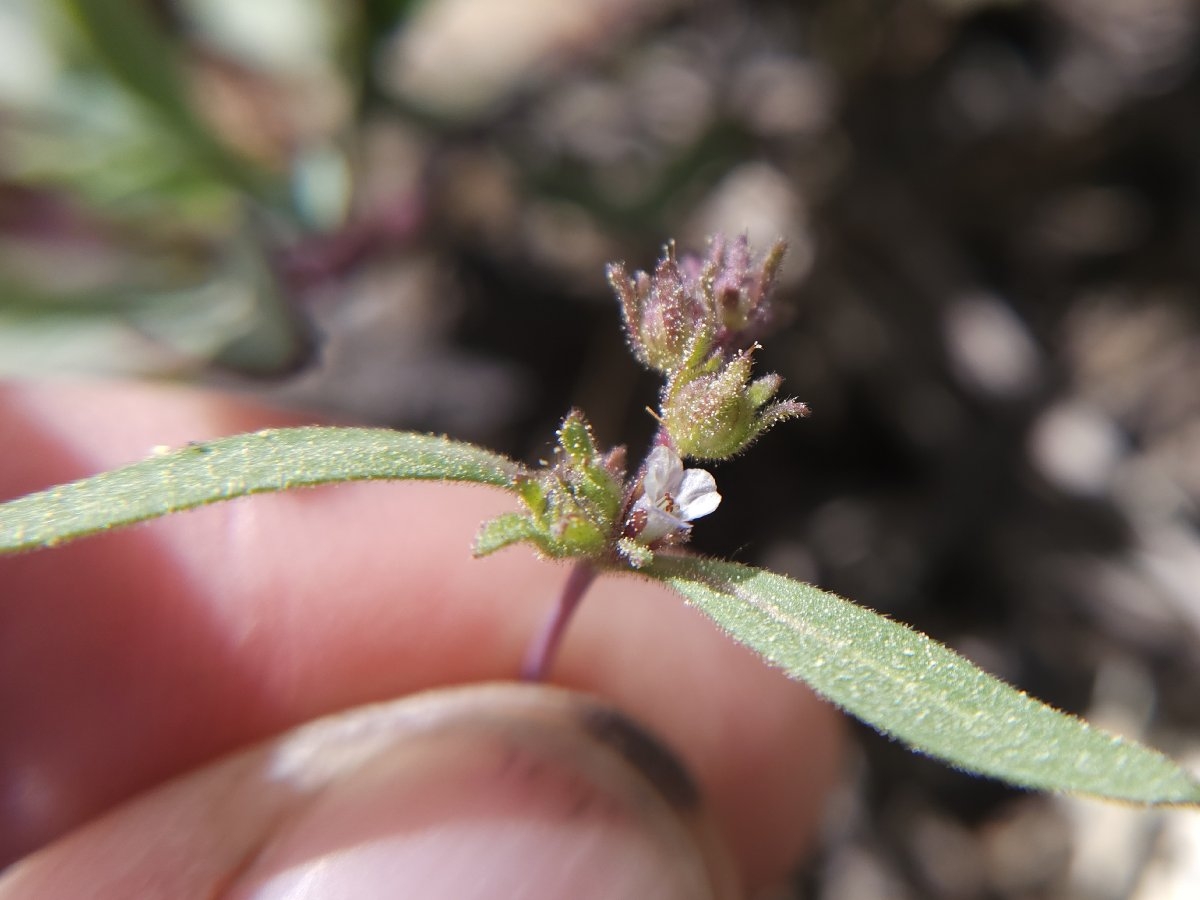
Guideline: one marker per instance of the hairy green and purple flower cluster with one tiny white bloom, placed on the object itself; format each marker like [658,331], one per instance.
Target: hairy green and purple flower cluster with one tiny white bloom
[695,321]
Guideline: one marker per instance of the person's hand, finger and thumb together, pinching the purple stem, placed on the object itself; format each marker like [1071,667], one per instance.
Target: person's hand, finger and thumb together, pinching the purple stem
[136,657]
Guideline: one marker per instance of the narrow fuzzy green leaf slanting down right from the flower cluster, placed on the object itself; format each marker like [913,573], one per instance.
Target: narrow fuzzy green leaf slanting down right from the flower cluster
[915,689]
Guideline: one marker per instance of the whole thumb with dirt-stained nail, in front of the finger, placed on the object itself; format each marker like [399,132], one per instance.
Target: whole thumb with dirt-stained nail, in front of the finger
[502,790]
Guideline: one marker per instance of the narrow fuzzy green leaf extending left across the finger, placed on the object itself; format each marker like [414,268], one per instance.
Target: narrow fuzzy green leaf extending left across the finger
[273,460]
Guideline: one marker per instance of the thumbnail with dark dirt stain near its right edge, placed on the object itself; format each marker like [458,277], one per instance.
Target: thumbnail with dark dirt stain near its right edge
[499,791]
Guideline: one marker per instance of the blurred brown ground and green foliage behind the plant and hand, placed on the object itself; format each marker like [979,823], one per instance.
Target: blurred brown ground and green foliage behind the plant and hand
[399,213]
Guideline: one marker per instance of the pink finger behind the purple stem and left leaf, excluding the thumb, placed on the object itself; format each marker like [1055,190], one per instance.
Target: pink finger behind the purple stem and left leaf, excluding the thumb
[135,657]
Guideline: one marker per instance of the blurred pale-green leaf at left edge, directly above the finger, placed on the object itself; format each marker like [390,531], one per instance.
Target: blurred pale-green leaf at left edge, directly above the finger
[161,315]
